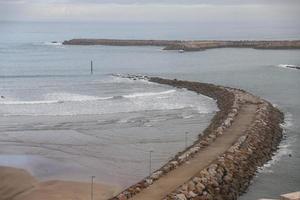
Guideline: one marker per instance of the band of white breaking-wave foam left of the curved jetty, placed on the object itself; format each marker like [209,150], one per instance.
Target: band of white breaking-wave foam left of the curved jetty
[63,103]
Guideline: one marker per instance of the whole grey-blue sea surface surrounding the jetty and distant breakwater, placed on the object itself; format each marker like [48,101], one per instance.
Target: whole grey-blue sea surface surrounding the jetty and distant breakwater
[60,122]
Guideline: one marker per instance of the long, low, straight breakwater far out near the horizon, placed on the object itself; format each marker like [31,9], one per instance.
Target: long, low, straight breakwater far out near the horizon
[192,45]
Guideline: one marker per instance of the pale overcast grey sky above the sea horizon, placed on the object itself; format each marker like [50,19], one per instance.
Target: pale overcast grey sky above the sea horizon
[263,11]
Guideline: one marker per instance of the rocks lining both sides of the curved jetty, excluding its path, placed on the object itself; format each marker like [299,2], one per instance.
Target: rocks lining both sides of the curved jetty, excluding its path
[228,176]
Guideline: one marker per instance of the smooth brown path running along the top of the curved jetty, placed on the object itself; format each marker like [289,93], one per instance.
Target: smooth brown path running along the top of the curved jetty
[175,178]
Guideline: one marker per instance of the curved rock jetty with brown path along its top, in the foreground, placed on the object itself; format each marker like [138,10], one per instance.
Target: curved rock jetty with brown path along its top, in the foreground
[242,136]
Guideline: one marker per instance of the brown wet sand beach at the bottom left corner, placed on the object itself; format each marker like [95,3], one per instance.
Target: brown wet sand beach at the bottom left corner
[18,184]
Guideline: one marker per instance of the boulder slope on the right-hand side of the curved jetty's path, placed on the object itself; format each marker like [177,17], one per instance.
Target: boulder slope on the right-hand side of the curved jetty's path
[230,175]
